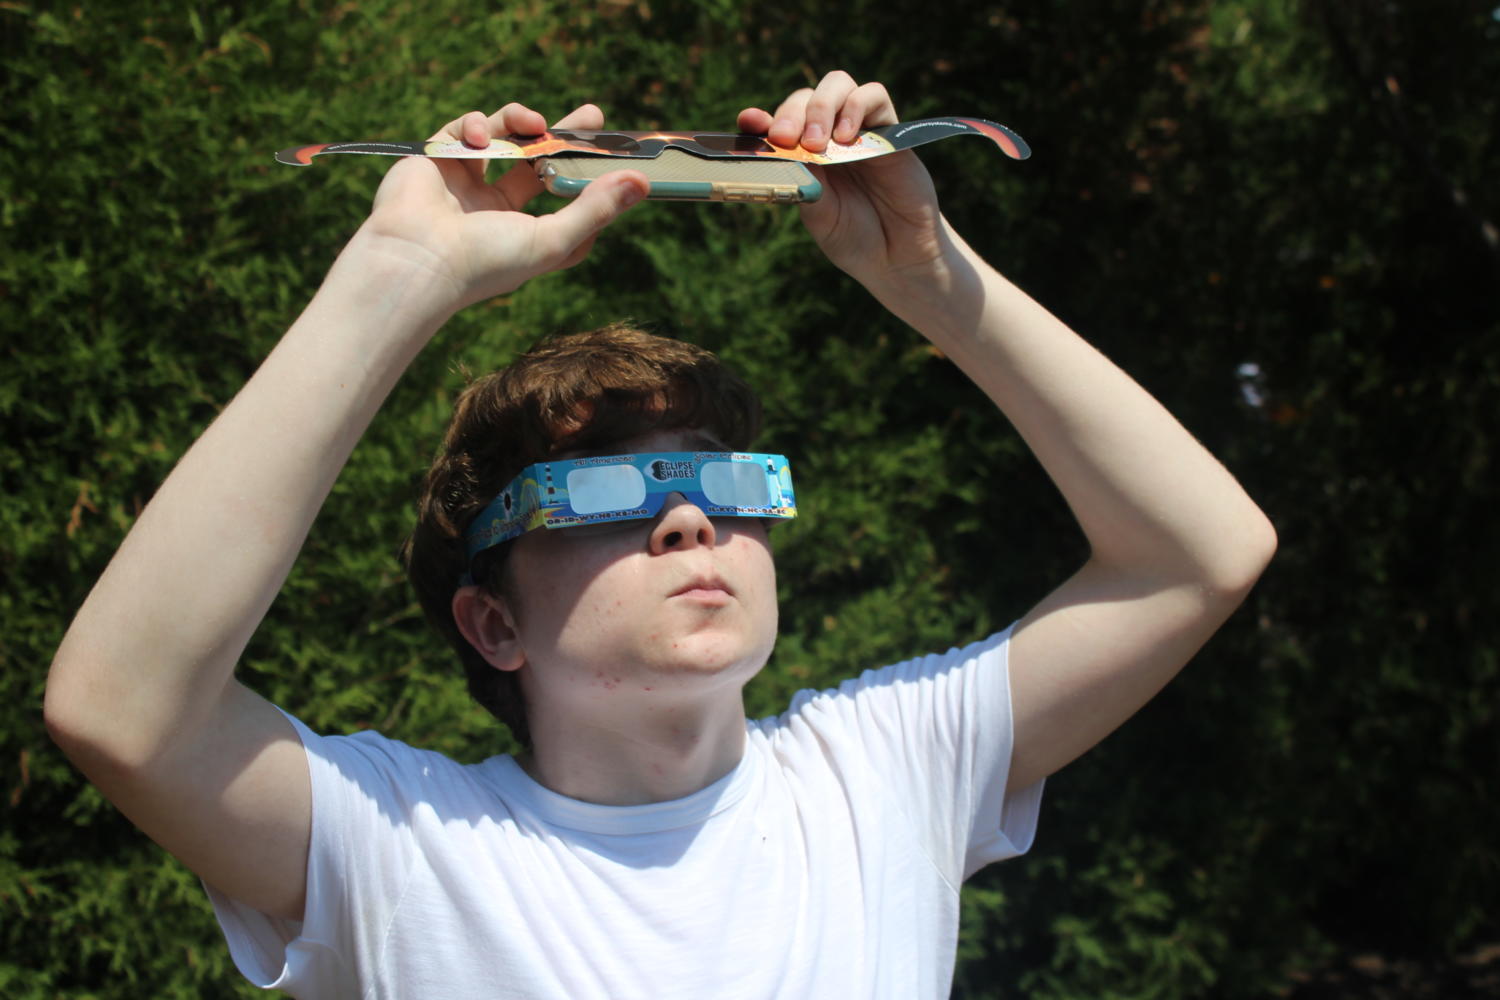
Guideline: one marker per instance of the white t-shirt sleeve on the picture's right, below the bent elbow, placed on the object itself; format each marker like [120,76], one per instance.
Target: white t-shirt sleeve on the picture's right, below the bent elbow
[935,735]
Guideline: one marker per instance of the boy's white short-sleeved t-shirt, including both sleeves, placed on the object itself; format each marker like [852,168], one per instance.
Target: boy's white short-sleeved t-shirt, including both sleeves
[827,864]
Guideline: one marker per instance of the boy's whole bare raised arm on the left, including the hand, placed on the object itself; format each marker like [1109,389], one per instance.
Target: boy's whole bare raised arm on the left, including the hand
[142,692]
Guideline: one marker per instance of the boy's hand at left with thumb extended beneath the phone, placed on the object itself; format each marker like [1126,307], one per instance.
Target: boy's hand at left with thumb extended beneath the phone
[470,233]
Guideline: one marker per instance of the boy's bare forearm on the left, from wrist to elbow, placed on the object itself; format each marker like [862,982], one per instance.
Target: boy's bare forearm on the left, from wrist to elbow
[157,642]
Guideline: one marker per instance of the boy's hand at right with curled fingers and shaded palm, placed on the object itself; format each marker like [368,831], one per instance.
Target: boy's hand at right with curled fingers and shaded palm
[878,220]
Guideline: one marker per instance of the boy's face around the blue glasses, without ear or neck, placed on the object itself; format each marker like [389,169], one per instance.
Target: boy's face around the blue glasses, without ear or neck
[644,609]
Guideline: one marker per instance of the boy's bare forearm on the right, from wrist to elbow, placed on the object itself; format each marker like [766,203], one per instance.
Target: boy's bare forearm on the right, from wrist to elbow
[1150,499]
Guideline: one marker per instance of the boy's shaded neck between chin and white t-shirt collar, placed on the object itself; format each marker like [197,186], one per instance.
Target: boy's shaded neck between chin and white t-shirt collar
[670,755]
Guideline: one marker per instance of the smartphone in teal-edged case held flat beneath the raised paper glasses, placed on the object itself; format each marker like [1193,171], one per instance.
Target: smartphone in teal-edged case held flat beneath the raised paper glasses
[680,176]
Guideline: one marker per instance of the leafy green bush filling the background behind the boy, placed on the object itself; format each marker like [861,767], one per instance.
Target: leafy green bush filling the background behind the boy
[1306,188]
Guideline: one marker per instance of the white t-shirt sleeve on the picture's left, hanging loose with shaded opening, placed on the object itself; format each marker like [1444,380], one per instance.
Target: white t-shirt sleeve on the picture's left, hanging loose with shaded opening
[359,861]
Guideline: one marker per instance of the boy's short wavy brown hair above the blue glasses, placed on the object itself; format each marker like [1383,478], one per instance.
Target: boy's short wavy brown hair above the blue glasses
[581,392]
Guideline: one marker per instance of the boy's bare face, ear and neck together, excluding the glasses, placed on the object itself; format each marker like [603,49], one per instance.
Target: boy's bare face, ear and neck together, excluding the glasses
[634,642]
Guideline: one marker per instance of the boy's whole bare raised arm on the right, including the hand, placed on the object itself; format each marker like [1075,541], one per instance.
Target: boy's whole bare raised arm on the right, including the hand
[1175,542]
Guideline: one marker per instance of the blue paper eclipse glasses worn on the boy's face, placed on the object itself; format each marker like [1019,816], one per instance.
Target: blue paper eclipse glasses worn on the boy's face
[575,493]
